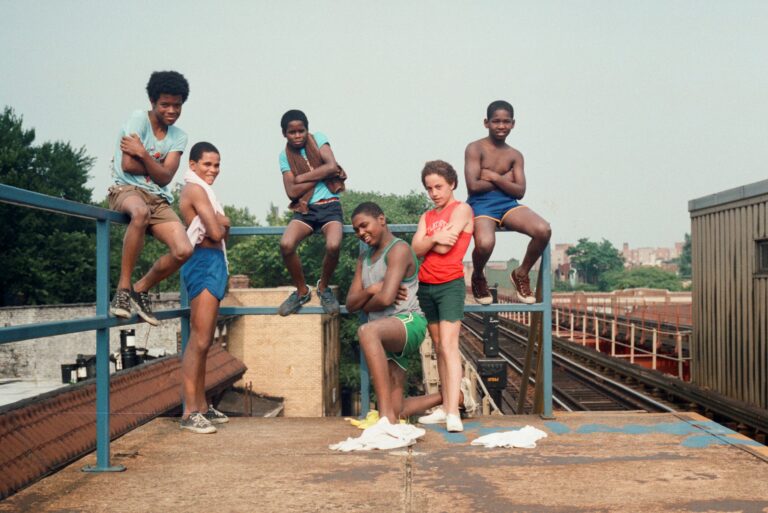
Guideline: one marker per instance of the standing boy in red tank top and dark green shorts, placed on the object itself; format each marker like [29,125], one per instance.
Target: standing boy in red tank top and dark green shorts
[441,239]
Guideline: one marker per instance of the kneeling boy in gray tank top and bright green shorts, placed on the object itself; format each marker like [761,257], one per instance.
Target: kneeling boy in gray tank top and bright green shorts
[384,286]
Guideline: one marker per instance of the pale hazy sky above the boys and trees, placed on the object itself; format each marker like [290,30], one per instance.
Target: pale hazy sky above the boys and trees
[625,110]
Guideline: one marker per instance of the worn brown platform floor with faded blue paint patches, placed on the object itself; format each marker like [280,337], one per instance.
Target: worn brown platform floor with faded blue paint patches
[589,462]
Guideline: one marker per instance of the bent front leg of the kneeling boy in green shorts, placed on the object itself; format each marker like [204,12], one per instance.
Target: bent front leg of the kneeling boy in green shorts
[376,337]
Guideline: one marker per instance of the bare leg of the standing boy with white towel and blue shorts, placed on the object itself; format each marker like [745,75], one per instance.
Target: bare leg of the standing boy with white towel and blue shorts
[204,310]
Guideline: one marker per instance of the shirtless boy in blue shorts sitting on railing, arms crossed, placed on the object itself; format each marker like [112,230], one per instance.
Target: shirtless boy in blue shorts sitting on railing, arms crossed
[496,182]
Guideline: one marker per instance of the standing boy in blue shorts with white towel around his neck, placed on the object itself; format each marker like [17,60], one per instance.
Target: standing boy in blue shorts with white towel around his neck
[205,278]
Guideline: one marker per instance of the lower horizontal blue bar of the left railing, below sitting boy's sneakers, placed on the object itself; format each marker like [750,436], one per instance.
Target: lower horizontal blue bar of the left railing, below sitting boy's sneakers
[49,329]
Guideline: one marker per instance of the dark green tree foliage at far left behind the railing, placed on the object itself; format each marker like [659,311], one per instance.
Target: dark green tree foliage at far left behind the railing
[46,258]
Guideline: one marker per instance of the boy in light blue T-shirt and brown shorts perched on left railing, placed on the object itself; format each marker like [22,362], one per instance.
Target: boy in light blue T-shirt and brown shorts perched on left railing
[148,152]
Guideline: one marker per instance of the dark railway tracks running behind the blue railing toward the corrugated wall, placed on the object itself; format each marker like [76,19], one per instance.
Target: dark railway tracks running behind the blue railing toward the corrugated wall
[585,379]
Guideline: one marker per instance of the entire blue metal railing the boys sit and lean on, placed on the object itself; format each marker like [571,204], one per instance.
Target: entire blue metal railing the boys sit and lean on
[102,322]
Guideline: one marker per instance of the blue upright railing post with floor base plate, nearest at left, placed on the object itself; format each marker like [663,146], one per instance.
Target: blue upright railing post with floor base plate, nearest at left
[102,354]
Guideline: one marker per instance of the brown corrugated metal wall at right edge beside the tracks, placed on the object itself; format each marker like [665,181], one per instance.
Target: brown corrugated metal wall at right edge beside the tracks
[730,300]
